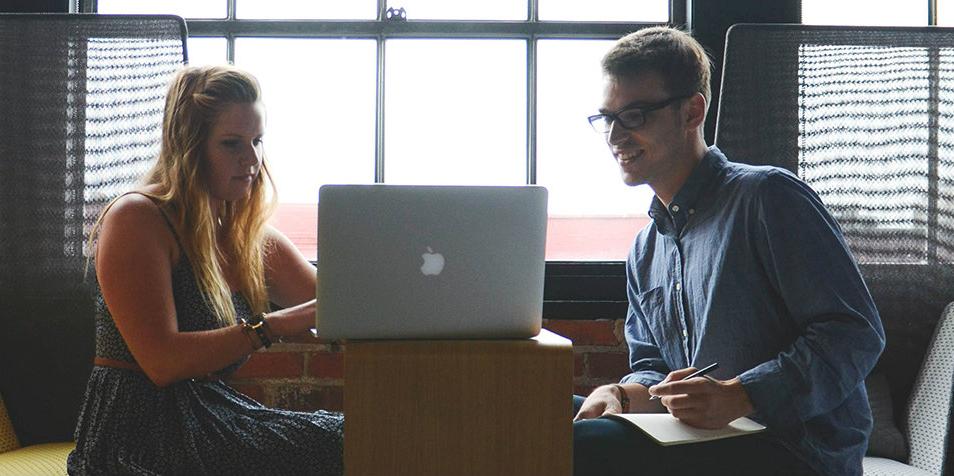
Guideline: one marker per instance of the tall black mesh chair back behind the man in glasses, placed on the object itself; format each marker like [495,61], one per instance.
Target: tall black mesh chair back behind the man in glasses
[865,115]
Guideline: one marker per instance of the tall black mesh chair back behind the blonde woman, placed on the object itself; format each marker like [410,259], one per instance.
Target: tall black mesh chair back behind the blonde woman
[81,101]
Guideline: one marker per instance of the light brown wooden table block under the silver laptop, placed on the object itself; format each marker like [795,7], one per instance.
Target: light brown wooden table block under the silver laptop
[459,407]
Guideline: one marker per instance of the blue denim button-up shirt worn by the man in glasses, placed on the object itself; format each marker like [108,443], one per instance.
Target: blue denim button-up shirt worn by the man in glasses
[746,268]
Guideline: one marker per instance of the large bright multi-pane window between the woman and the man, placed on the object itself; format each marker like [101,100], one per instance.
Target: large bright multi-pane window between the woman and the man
[494,92]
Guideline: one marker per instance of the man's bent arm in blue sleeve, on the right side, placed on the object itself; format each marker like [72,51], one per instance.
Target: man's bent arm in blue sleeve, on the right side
[805,256]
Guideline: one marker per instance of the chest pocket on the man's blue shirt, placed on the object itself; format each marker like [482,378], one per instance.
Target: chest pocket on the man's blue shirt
[661,320]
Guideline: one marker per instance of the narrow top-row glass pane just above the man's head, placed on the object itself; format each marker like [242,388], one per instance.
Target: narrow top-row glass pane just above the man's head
[605,10]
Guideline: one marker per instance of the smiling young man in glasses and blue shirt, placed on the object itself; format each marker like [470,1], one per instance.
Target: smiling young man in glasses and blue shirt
[740,265]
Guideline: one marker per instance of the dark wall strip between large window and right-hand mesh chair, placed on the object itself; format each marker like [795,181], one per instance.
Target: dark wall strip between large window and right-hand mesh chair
[710,19]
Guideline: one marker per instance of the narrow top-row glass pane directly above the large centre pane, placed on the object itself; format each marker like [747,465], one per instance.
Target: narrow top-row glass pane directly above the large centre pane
[463,10]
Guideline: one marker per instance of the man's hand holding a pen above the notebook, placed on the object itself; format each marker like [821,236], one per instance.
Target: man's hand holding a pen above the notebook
[702,402]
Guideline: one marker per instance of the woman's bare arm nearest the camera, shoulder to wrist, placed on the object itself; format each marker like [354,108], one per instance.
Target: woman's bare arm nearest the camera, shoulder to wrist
[136,252]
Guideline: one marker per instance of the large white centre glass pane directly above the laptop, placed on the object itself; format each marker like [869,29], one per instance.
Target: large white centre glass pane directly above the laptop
[455,112]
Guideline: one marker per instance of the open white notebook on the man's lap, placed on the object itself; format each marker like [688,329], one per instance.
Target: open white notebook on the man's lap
[668,430]
